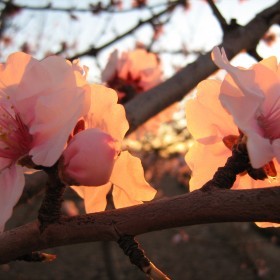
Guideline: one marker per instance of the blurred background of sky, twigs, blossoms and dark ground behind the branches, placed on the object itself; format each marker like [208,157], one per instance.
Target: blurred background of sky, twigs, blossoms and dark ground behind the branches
[132,46]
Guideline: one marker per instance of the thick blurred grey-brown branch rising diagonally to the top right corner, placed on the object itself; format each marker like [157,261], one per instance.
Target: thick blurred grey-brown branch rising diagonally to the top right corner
[148,104]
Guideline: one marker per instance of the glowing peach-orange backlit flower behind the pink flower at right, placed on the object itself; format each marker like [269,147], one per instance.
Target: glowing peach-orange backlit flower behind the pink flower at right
[209,123]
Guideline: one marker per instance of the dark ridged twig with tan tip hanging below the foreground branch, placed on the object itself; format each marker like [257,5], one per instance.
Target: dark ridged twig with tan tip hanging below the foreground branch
[137,257]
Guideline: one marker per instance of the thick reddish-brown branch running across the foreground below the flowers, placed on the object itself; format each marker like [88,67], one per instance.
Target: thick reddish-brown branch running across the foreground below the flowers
[194,208]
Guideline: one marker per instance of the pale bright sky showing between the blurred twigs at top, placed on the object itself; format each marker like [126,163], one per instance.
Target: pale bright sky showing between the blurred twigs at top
[194,29]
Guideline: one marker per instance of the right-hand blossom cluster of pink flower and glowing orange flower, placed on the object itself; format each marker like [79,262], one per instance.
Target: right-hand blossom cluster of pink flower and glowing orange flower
[247,101]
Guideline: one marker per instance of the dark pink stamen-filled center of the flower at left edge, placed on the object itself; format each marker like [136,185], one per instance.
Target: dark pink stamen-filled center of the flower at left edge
[15,139]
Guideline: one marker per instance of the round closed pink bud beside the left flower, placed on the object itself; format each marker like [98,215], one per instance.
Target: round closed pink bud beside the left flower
[89,158]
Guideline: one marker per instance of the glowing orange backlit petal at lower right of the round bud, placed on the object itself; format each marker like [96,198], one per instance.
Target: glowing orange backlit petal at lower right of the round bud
[128,175]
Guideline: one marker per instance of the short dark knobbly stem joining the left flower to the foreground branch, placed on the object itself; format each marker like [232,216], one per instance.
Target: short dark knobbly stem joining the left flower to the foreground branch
[49,211]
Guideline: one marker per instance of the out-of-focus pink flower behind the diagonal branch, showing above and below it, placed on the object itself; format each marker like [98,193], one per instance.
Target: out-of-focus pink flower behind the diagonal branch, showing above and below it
[132,73]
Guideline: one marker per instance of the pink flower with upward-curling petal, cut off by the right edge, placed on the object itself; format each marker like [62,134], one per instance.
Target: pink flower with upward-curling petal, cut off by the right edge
[252,97]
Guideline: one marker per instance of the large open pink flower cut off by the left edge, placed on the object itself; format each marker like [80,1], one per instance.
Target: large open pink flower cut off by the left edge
[38,110]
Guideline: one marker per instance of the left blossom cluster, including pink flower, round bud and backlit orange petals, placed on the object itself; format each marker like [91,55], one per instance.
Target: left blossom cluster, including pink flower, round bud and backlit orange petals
[48,112]
